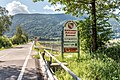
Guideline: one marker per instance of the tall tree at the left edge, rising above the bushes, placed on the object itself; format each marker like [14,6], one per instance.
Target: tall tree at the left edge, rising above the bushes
[5,20]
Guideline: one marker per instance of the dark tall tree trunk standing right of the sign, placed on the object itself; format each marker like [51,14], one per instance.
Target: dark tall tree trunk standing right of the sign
[94,31]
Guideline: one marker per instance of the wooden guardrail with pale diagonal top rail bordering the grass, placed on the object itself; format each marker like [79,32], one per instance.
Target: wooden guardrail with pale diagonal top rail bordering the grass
[63,66]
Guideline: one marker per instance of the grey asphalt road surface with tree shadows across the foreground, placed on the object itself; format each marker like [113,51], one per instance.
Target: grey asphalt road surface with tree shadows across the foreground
[12,61]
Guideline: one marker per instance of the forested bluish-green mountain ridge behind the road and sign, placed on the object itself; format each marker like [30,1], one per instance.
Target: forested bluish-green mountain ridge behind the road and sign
[42,25]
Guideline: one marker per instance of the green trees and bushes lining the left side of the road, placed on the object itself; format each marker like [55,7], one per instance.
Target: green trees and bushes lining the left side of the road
[19,37]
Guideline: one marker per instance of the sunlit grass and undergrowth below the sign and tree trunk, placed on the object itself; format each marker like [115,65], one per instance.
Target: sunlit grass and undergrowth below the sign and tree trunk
[91,68]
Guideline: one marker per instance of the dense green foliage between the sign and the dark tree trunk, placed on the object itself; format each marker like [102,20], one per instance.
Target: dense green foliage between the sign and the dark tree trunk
[85,35]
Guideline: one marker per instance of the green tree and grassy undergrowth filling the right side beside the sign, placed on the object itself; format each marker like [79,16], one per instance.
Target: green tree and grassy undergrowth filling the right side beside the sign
[97,61]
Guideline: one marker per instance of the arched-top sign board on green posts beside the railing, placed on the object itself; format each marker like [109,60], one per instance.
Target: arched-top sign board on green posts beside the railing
[70,38]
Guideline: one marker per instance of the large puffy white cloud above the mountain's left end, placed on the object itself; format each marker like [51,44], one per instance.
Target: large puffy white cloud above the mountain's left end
[16,7]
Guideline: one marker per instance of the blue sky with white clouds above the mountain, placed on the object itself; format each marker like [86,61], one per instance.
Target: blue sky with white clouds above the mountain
[27,6]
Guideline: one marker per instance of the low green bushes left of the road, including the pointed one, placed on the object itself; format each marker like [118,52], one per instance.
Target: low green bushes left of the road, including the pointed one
[17,39]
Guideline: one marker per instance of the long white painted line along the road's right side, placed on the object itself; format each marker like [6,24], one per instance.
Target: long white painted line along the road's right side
[24,65]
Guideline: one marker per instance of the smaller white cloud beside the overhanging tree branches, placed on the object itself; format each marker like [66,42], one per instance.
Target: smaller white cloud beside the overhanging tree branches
[53,8]
